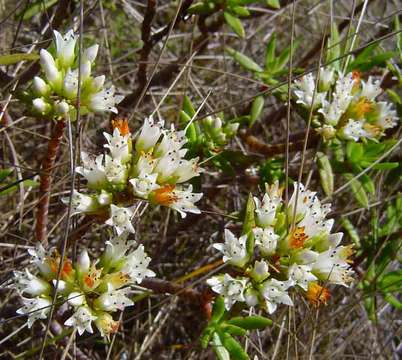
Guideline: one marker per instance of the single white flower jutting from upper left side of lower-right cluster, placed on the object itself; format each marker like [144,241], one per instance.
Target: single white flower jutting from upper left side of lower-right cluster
[234,249]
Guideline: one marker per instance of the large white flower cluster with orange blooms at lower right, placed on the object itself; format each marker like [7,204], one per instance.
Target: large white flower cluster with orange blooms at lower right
[281,253]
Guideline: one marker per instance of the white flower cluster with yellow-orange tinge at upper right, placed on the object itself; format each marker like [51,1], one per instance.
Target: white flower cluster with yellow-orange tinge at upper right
[345,106]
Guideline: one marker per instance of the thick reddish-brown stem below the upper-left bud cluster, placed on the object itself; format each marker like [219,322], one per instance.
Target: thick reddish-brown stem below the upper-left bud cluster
[46,181]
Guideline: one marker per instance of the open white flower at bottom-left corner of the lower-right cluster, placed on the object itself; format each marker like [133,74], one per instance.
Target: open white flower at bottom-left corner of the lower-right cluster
[230,288]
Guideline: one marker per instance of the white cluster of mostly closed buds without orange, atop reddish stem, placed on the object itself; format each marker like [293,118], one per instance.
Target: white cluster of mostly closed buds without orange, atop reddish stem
[56,94]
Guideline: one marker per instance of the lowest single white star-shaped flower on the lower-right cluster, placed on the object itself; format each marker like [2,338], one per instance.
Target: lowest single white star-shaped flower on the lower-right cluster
[275,292]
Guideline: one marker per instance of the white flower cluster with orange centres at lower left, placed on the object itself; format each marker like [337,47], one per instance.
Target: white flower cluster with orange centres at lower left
[93,290]
